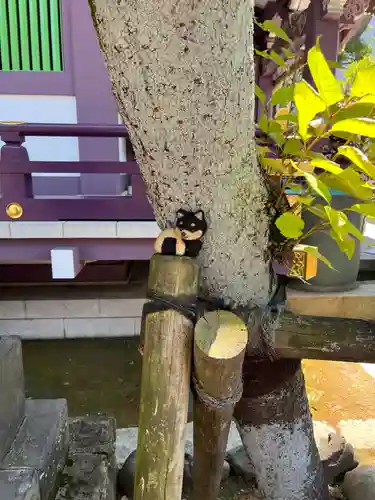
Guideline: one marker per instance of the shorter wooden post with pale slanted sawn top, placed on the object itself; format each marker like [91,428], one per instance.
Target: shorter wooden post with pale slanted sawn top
[219,349]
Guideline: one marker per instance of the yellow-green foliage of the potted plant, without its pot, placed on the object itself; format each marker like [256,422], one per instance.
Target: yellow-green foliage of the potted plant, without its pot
[297,119]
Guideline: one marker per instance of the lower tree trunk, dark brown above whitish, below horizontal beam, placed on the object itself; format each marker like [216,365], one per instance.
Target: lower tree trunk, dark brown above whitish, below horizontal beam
[275,425]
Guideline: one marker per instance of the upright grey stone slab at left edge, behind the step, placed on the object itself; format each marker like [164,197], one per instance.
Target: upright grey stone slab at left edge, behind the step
[12,396]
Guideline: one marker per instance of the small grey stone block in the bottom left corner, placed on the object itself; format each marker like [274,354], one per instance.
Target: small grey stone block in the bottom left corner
[19,484]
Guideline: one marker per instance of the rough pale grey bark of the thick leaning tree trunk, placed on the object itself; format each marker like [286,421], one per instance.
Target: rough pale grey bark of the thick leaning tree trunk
[183,75]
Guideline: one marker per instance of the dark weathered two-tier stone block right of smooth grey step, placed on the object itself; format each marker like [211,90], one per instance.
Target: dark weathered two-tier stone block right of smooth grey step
[90,472]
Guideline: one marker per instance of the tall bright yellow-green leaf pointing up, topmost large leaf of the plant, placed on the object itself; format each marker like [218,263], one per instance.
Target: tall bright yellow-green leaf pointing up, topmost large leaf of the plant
[328,87]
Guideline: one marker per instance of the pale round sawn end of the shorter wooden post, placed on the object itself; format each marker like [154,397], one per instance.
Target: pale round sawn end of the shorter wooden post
[221,334]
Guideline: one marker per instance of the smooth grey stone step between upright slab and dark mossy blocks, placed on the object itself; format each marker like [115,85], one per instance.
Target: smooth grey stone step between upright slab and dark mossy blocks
[41,442]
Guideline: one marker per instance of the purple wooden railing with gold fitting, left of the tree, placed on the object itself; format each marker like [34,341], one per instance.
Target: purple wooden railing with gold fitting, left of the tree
[17,183]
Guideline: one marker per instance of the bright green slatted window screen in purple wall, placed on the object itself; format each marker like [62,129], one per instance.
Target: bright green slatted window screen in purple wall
[30,35]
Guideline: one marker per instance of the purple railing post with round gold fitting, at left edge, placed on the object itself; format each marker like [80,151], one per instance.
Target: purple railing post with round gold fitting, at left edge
[14,187]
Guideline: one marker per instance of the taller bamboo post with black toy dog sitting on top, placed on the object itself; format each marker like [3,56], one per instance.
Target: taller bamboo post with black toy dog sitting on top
[168,337]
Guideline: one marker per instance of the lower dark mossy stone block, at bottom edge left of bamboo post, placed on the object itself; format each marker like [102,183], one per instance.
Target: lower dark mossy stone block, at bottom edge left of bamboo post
[88,476]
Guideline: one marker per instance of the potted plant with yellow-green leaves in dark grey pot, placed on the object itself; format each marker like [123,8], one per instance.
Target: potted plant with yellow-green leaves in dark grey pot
[316,148]
